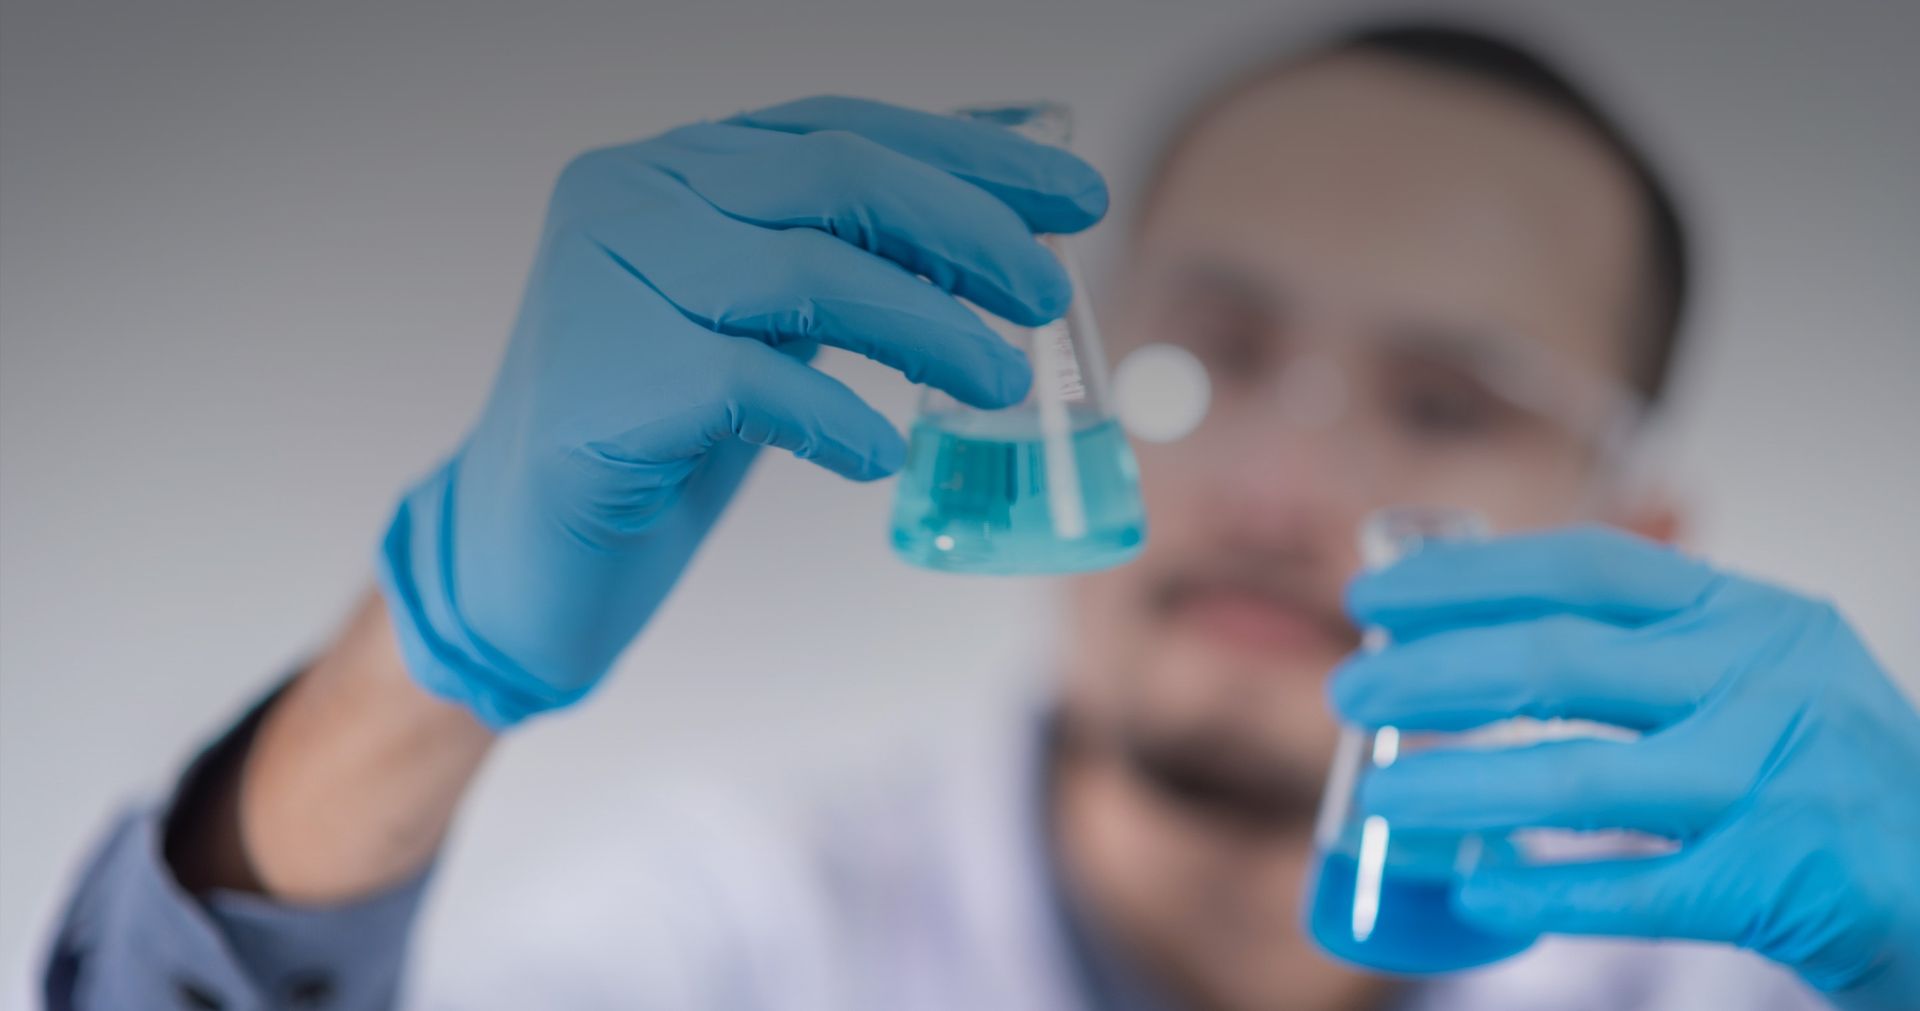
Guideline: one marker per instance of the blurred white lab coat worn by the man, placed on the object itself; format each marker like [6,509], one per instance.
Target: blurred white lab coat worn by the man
[926,895]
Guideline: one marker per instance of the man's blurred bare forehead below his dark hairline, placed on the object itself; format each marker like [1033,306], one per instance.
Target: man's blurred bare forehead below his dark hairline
[1378,183]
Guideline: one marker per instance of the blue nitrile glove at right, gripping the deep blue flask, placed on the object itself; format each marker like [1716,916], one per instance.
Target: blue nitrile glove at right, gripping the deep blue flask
[1775,751]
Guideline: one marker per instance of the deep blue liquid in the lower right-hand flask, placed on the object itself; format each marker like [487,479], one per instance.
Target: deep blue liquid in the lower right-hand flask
[1412,928]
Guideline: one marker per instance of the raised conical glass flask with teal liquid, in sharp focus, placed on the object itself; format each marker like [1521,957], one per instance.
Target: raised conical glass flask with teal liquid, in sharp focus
[1045,486]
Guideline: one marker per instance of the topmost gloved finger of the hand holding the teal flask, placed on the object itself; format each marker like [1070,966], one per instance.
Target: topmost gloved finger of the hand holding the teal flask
[1047,187]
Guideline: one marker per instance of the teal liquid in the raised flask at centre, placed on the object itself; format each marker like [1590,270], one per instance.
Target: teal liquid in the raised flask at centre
[984,502]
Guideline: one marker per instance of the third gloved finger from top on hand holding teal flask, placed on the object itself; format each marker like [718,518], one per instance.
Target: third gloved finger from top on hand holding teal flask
[800,285]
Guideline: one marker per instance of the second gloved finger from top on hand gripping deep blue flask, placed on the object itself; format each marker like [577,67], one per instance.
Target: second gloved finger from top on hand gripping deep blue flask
[1558,667]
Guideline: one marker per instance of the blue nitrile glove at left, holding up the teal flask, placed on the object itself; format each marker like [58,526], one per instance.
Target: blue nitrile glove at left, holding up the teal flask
[681,287]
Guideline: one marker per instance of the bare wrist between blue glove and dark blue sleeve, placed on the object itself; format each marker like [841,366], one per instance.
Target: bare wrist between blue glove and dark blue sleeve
[348,786]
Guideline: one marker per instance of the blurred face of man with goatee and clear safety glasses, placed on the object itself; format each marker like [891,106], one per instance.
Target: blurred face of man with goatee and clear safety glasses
[1328,243]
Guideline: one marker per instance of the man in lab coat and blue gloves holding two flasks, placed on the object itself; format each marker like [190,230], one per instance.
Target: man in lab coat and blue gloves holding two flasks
[1418,268]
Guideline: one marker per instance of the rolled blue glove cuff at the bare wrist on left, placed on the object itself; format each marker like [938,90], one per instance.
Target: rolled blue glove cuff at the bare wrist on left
[444,657]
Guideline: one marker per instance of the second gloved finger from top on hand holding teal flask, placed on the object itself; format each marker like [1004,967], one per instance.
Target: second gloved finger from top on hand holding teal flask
[880,200]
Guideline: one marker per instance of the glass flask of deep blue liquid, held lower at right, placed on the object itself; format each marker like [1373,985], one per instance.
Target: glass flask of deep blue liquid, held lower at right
[1381,897]
